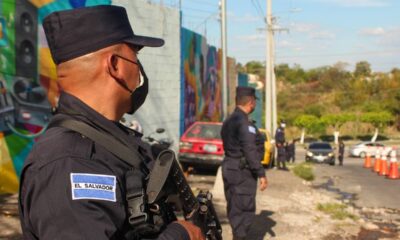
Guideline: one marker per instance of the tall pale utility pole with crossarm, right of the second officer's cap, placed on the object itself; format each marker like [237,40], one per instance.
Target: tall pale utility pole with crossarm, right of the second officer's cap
[269,69]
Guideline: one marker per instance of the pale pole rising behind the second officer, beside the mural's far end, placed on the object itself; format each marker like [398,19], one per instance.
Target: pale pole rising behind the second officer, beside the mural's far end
[224,60]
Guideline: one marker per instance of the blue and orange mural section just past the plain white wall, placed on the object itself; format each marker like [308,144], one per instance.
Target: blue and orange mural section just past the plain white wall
[201,80]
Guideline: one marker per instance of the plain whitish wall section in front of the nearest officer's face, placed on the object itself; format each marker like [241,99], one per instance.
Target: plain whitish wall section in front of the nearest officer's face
[162,66]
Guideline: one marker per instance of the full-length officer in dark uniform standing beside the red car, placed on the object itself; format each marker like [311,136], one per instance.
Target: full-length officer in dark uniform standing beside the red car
[242,163]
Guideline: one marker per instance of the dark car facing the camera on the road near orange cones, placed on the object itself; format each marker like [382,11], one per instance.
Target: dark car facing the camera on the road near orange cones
[321,152]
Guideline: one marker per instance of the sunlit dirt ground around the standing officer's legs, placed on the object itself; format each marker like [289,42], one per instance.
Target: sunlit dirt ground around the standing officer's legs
[287,210]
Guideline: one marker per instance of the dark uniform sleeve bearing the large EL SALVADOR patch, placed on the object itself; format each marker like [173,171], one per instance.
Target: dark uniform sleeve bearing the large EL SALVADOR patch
[73,199]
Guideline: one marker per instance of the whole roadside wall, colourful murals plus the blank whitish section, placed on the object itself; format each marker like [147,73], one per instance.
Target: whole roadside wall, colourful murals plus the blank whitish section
[28,86]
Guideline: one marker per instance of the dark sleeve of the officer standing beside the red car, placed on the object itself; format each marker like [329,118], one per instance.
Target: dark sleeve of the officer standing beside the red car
[247,139]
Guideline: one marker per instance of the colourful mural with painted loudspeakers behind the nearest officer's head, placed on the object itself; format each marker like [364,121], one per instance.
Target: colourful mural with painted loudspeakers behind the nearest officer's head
[28,85]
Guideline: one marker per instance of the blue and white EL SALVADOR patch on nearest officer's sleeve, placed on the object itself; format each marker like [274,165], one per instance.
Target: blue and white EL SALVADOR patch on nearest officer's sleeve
[93,186]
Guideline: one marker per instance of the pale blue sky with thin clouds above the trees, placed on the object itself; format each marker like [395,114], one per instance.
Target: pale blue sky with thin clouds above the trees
[320,32]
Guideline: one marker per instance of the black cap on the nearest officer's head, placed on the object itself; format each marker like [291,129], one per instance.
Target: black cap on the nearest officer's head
[74,33]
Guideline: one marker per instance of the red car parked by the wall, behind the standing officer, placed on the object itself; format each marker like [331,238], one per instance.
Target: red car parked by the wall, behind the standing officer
[201,146]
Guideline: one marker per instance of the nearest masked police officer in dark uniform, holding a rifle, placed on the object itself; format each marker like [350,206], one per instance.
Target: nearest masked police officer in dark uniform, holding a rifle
[71,186]
